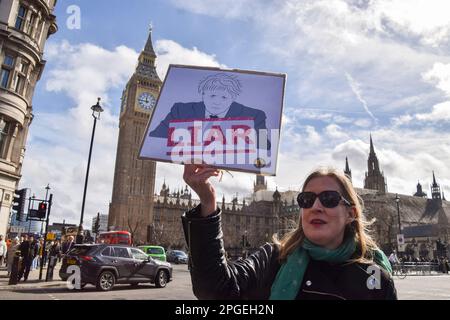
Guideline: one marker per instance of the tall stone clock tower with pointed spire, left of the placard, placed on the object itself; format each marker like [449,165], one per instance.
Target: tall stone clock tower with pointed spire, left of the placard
[131,206]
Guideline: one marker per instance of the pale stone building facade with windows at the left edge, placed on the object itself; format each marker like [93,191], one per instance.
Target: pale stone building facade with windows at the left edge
[24,29]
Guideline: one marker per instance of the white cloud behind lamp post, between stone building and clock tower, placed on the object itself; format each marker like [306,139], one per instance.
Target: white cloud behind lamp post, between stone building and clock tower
[59,142]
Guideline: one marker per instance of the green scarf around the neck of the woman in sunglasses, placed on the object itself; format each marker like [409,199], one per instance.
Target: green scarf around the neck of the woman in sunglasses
[290,276]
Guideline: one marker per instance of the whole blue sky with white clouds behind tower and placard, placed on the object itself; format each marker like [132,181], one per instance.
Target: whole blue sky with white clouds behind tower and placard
[354,67]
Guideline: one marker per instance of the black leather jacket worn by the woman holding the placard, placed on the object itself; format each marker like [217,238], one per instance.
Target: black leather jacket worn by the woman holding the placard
[213,277]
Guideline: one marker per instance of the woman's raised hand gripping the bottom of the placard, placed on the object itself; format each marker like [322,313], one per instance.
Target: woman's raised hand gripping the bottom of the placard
[196,176]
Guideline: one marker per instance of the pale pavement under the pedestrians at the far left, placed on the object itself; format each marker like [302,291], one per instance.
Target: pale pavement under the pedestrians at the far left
[33,279]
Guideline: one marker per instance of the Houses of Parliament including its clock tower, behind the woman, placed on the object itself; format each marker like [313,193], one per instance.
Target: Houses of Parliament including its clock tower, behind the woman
[247,223]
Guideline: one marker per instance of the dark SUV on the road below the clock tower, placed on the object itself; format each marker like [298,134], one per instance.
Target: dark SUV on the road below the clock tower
[105,265]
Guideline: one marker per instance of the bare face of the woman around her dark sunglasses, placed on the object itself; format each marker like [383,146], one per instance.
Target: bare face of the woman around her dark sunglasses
[325,226]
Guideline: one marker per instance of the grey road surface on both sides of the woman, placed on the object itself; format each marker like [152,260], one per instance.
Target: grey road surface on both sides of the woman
[435,287]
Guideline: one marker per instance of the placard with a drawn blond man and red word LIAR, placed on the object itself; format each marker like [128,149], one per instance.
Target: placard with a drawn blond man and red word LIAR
[229,119]
